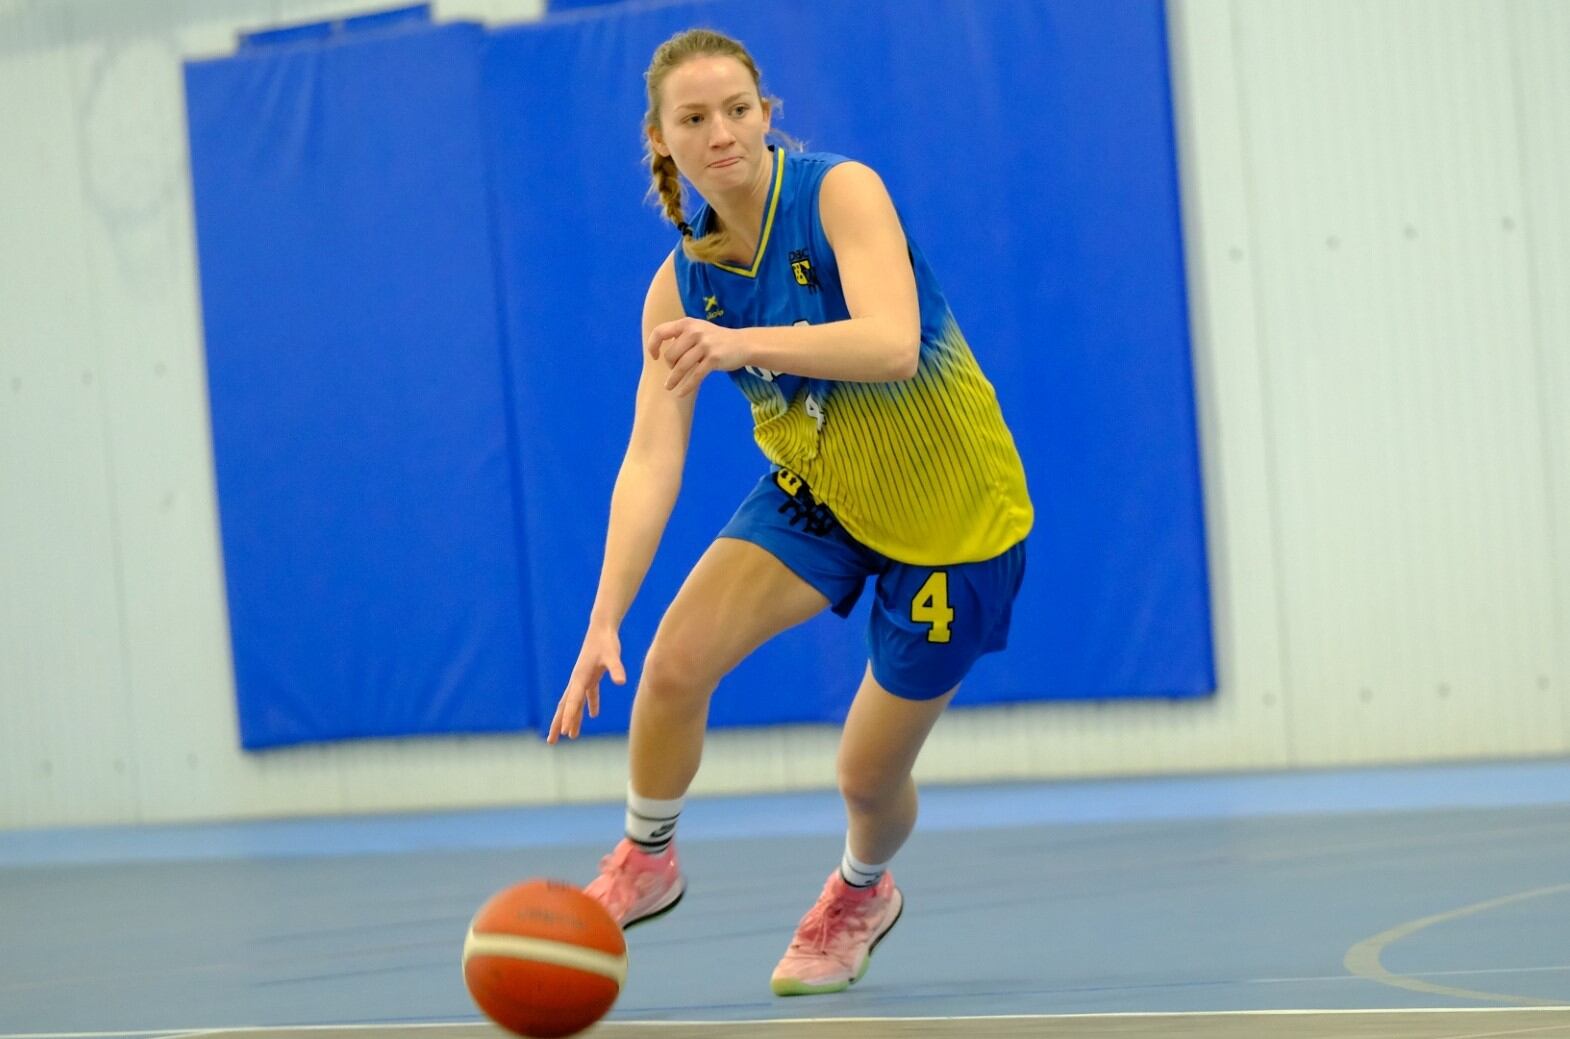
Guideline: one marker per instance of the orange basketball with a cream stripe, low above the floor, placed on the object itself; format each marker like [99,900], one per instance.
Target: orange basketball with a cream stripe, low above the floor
[544,960]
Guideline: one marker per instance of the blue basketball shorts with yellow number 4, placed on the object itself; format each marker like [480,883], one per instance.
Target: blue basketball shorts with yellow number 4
[929,624]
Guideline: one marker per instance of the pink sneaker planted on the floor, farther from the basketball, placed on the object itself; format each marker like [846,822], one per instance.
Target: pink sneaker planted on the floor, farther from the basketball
[836,939]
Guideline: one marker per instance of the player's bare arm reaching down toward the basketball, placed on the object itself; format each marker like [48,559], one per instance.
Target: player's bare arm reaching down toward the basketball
[646,492]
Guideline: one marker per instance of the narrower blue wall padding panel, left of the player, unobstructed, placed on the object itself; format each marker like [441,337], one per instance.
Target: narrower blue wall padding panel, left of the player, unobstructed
[359,404]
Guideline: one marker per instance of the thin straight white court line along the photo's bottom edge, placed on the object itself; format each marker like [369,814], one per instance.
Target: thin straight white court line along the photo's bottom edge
[192,1034]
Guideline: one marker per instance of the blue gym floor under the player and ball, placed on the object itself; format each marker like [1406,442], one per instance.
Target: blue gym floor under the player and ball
[1418,888]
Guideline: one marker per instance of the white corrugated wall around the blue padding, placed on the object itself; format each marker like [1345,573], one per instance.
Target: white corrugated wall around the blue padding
[1378,217]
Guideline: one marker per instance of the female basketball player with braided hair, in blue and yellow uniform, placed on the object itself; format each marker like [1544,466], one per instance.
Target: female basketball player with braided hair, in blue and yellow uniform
[889,461]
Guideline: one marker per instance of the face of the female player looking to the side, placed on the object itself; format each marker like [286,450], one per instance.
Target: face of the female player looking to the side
[714,125]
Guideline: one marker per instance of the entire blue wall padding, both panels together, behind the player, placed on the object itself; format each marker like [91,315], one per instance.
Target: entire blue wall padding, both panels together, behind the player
[423,257]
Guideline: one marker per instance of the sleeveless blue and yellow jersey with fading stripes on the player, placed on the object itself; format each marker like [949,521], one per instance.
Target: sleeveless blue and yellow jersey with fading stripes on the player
[922,470]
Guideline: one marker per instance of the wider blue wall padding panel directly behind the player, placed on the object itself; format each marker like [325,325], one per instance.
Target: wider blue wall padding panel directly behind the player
[1031,150]
